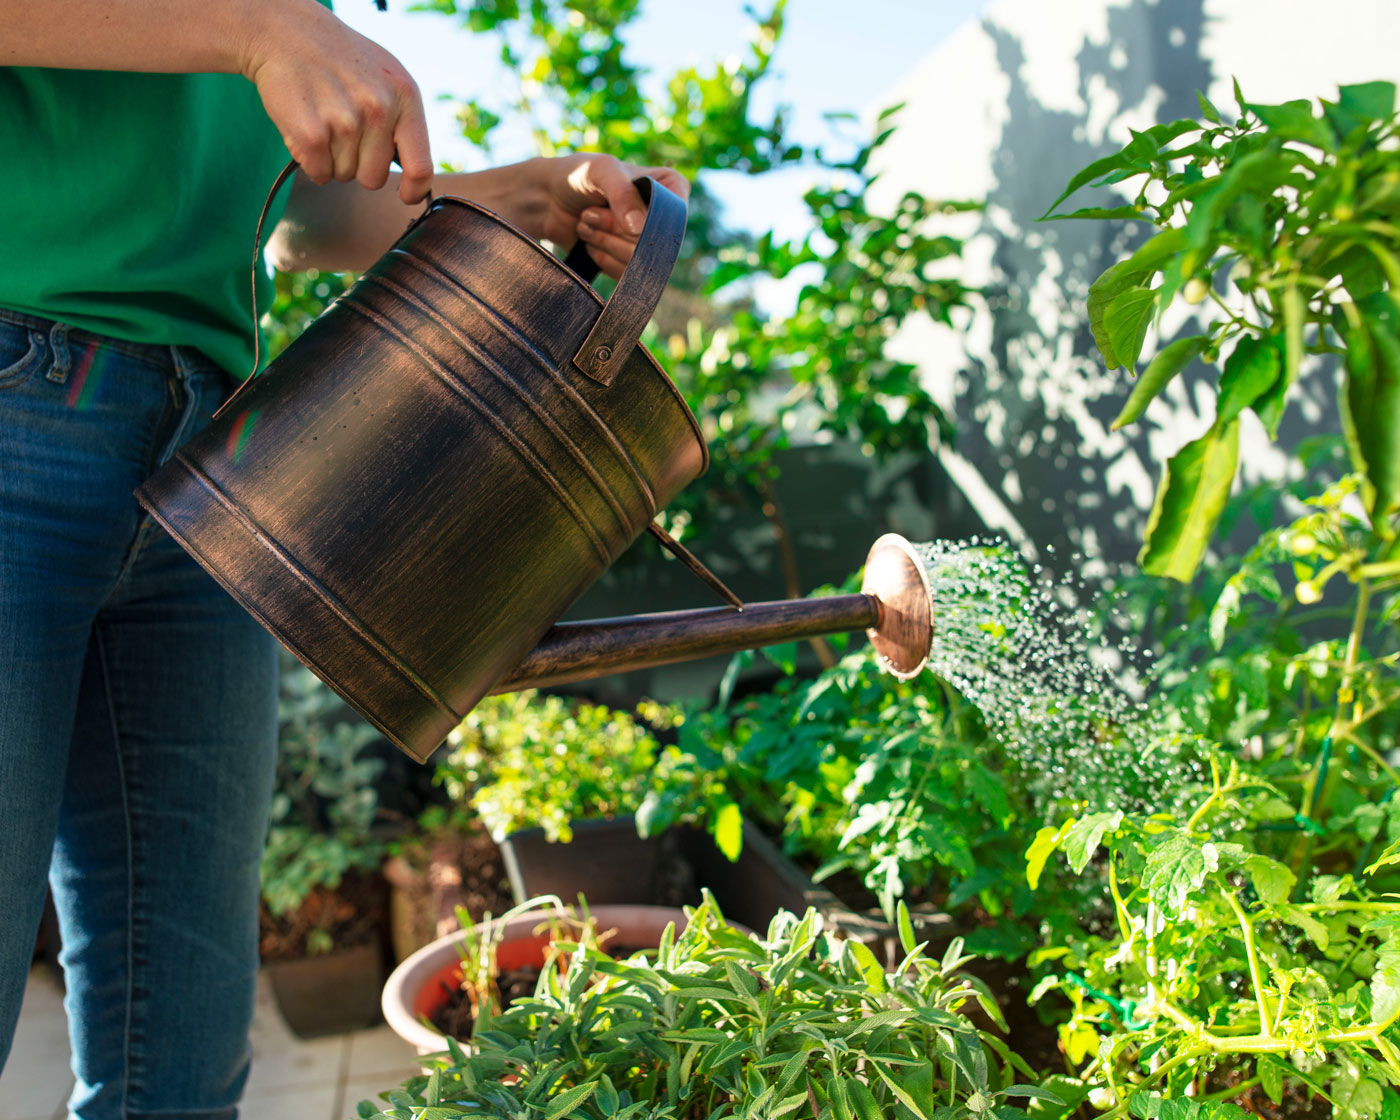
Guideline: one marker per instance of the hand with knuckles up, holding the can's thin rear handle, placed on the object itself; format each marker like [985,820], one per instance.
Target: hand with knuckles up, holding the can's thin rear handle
[344,104]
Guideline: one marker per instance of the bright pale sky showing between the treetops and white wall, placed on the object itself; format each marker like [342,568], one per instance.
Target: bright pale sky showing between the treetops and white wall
[835,55]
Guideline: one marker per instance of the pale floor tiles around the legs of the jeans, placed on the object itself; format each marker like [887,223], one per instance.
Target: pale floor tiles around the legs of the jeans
[292,1079]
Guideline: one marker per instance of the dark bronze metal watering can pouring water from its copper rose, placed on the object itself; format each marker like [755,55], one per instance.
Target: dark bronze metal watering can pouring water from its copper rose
[426,479]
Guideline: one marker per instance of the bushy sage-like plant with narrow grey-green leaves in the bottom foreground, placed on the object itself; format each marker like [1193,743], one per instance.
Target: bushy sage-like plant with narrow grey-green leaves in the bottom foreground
[716,1023]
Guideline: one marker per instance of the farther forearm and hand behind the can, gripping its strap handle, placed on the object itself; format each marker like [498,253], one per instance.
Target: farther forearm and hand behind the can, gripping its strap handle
[342,227]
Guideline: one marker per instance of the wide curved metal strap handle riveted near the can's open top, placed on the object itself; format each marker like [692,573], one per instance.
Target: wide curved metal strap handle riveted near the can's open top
[619,327]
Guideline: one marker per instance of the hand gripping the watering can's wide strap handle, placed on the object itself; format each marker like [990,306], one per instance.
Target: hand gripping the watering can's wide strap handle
[591,198]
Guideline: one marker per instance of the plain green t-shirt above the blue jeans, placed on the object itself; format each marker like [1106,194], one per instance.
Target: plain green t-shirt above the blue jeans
[129,205]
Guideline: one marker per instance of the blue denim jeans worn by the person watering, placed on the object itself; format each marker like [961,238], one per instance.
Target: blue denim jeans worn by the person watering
[138,731]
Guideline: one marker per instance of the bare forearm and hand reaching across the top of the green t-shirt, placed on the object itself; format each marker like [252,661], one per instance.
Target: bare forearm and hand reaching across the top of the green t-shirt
[342,103]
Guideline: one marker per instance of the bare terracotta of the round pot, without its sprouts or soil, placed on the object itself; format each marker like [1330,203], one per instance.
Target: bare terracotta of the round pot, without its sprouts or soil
[423,983]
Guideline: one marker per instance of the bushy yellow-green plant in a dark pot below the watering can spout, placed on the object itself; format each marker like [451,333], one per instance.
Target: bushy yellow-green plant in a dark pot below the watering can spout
[586,800]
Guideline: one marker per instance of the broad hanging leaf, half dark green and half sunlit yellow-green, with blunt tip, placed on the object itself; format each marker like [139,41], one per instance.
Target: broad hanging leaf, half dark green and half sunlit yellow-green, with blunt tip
[1189,502]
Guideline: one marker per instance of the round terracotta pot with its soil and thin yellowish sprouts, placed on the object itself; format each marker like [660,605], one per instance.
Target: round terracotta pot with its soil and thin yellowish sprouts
[464,978]
